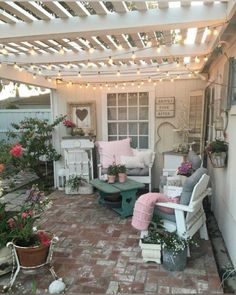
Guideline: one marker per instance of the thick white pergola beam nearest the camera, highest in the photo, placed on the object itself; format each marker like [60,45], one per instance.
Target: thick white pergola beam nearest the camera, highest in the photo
[129,22]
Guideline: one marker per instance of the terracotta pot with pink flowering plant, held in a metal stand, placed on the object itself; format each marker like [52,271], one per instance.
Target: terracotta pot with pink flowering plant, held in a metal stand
[31,246]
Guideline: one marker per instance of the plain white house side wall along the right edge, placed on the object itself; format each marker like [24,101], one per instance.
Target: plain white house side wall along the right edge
[223,179]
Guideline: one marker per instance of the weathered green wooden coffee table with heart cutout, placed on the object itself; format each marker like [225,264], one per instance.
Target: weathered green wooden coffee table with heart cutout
[127,191]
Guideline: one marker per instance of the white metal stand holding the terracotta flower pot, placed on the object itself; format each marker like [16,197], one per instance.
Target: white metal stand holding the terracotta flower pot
[16,262]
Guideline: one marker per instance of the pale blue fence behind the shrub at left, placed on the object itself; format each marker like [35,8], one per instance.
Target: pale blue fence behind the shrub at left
[15,116]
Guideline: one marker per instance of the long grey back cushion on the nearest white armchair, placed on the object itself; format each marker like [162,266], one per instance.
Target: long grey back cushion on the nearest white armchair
[189,185]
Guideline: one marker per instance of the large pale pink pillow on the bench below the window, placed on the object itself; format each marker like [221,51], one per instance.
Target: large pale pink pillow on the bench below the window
[110,151]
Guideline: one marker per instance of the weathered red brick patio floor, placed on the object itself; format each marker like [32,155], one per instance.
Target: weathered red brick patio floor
[98,252]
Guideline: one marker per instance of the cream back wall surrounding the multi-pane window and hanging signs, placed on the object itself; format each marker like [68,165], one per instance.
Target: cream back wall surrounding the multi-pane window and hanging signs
[179,89]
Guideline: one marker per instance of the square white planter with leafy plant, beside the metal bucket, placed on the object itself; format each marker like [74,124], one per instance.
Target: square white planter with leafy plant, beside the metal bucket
[151,243]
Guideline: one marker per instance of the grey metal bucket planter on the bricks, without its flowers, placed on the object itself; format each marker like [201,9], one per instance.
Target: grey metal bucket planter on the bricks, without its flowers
[175,262]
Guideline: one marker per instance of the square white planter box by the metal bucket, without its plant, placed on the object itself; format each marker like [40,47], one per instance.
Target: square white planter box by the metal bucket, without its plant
[151,252]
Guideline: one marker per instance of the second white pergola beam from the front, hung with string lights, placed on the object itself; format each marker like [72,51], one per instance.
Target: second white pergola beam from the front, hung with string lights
[98,55]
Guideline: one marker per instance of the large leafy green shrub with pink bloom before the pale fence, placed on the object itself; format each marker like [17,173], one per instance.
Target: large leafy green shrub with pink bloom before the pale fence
[34,145]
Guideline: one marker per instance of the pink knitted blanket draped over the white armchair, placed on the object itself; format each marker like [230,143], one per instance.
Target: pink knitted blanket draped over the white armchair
[144,207]
